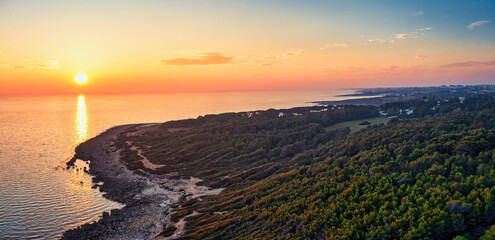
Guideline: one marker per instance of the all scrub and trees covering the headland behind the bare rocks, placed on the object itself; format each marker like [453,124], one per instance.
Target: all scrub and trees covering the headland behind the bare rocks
[428,175]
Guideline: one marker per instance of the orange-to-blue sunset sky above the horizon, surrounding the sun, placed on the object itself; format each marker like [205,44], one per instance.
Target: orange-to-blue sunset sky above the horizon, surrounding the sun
[196,46]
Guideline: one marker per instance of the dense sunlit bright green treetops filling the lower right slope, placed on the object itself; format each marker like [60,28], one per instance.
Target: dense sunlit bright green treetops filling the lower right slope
[405,186]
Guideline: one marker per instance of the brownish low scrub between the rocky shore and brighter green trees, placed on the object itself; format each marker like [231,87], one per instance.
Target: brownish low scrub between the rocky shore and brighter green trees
[245,146]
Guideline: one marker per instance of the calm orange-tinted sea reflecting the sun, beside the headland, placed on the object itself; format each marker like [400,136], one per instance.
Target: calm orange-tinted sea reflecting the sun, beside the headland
[39,199]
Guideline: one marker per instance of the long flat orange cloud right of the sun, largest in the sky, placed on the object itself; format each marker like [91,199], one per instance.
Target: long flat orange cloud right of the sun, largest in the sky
[204,59]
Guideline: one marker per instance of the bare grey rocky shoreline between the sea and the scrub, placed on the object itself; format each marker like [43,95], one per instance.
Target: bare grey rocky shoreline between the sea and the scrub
[147,198]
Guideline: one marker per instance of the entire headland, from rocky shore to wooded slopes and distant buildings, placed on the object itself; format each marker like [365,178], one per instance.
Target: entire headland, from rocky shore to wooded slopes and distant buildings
[424,170]
